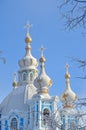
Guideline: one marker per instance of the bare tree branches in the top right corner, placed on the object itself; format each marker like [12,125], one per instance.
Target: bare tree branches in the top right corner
[74,12]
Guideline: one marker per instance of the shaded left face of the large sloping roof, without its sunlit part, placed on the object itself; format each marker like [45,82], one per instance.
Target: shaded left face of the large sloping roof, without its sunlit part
[15,100]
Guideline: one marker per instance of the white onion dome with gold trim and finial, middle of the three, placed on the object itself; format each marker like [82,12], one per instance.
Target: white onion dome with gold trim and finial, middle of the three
[43,81]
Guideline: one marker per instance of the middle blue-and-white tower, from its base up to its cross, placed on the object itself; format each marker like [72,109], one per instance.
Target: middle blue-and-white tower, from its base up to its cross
[44,106]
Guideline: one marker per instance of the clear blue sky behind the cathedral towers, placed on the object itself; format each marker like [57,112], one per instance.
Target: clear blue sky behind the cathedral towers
[48,30]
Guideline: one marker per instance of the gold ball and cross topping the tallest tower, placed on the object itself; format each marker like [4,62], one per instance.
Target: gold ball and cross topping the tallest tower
[28,39]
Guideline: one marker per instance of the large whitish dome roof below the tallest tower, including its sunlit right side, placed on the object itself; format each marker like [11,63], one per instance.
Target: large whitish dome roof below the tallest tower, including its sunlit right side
[17,99]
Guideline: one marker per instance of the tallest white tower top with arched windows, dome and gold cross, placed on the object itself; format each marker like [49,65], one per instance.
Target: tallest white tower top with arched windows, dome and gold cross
[28,65]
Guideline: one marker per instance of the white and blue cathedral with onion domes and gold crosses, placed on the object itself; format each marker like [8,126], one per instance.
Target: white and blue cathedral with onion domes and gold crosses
[30,106]
